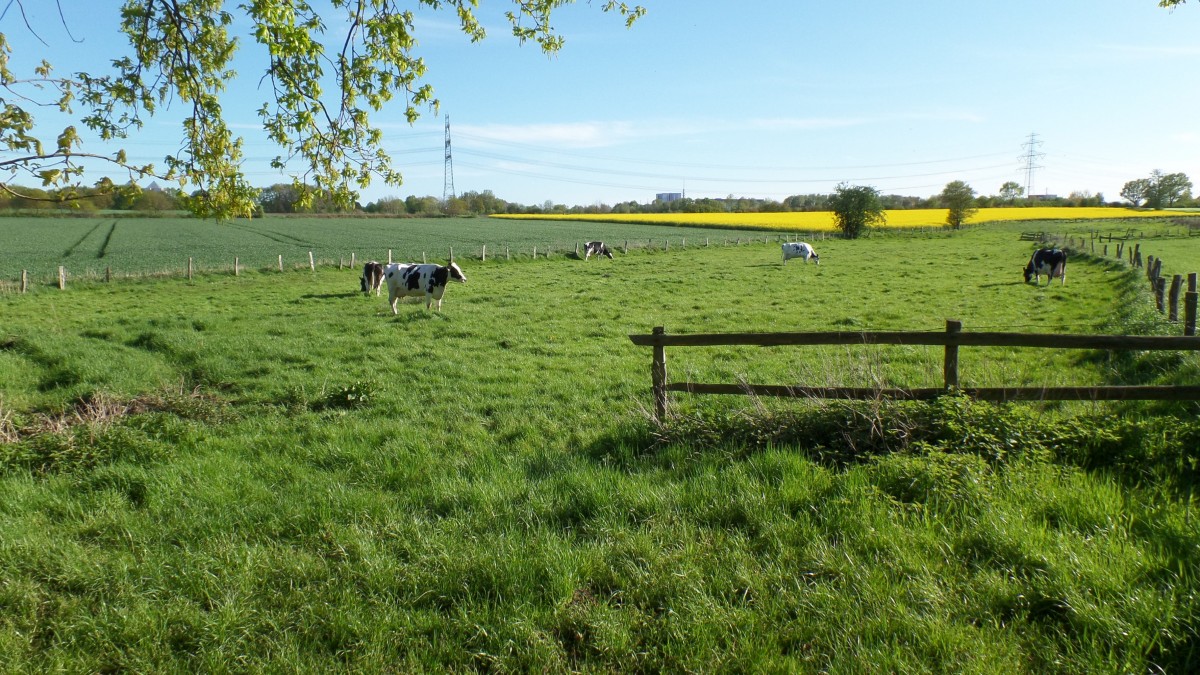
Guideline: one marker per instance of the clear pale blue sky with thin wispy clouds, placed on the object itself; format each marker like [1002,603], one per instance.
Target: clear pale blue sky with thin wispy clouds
[760,99]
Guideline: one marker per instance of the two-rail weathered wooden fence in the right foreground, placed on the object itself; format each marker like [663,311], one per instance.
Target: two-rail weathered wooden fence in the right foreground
[952,339]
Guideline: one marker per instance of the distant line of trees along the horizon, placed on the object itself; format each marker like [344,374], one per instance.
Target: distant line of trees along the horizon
[1160,190]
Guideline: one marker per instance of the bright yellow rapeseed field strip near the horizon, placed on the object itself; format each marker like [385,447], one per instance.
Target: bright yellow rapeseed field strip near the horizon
[819,222]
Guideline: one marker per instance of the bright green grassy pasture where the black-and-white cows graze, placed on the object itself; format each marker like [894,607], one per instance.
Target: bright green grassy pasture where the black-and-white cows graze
[272,473]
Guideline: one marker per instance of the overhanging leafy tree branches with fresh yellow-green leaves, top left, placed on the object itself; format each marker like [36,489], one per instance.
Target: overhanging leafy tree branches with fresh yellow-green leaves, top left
[328,71]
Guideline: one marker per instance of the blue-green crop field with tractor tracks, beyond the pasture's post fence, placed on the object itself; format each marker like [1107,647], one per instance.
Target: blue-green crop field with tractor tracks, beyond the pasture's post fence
[87,247]
